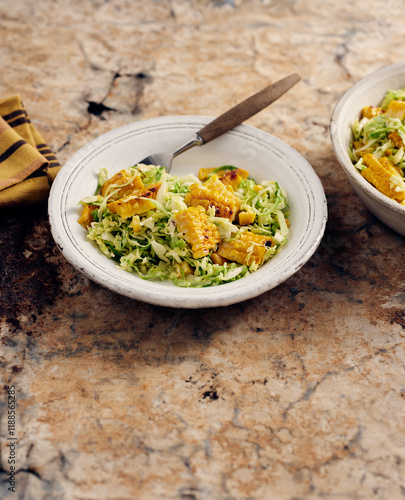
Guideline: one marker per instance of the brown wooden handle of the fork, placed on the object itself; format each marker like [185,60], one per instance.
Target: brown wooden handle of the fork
[247,108]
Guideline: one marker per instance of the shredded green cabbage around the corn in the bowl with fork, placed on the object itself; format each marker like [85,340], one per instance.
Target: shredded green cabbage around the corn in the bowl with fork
[149,244]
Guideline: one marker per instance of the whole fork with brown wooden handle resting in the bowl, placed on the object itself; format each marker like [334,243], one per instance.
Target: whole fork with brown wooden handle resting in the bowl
[228,120]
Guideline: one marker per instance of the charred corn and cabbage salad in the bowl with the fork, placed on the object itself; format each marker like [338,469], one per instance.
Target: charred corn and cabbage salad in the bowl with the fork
[194,231]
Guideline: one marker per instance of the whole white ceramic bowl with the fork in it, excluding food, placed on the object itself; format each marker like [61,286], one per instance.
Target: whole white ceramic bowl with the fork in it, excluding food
[263,155]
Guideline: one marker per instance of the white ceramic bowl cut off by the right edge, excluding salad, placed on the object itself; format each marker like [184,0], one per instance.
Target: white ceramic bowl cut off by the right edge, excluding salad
[368,91]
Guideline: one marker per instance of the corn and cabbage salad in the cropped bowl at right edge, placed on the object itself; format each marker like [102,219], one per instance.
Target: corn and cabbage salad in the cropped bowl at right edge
[377,149]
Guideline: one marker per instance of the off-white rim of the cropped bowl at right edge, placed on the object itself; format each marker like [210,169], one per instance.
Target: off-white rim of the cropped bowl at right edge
[369,81]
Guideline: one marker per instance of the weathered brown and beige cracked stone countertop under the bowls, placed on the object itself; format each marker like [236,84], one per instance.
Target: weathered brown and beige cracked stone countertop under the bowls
[298,394]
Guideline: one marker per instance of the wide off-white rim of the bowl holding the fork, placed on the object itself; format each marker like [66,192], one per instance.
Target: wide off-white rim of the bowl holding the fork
[317,220]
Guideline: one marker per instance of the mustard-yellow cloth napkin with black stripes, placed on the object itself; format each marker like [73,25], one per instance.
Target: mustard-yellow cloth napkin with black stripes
[27,165]
